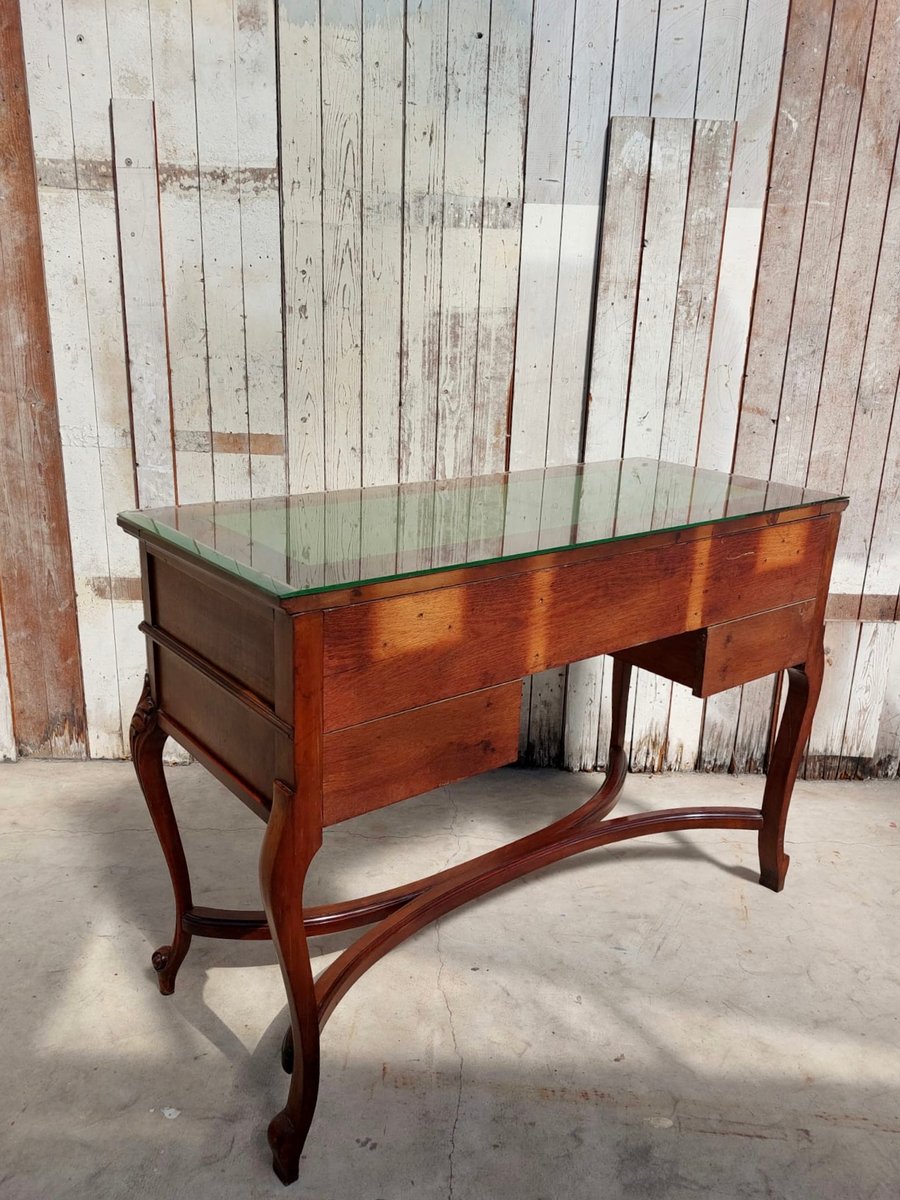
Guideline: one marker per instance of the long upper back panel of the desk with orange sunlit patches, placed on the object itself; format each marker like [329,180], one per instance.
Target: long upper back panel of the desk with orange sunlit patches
[391,656]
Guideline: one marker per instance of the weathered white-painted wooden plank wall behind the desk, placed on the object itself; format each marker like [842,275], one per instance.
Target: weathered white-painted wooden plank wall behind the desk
[328,243]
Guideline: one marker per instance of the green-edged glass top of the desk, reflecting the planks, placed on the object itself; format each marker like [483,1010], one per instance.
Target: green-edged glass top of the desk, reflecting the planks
[296,545]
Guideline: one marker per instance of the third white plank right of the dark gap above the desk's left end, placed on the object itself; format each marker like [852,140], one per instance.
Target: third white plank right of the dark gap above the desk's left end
[382,242]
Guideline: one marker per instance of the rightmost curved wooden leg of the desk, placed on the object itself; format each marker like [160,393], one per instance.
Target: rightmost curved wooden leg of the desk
[805,685]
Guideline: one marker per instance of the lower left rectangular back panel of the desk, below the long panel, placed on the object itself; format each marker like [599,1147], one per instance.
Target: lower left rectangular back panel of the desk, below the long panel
[370,766]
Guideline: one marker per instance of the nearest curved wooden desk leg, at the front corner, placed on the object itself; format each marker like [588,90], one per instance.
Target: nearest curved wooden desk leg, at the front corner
[289,848]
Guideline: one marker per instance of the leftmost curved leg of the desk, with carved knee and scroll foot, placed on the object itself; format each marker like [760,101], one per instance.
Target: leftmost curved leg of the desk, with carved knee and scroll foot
[147,743]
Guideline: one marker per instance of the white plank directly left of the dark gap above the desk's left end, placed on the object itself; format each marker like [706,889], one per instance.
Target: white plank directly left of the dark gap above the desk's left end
[261,254]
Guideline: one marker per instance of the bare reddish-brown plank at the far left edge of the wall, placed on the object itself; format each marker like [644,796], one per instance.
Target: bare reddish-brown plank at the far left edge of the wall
[37,579]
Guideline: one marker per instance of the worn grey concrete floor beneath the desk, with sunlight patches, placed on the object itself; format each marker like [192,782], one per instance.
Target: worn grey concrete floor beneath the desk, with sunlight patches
[644,1022]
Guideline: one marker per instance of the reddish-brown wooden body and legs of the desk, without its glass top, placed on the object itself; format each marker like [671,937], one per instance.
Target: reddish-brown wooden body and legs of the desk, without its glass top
[717,590]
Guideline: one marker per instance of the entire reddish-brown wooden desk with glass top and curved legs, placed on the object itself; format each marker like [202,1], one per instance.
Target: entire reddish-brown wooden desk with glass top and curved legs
[326,656]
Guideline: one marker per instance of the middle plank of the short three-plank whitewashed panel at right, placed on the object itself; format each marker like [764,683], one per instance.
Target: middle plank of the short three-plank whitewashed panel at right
[667,197]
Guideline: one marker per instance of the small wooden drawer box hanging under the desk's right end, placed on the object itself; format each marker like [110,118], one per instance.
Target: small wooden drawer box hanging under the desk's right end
[731,653]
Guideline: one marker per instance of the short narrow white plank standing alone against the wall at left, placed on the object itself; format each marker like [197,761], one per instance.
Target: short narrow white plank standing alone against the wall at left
[137,200]
